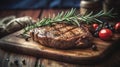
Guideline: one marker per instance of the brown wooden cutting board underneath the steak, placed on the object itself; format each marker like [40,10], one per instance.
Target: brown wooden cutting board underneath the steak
[82,56]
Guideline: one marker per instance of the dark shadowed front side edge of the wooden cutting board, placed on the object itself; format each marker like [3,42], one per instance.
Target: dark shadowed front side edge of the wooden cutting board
[39,54]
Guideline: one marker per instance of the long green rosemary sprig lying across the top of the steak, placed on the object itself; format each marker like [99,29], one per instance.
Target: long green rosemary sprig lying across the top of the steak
[70,17]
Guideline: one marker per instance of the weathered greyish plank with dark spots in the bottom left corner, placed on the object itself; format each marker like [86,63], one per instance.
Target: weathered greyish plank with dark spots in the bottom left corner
[17,60]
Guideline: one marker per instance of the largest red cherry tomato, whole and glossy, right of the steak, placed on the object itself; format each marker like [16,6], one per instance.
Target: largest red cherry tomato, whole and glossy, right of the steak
[105,34]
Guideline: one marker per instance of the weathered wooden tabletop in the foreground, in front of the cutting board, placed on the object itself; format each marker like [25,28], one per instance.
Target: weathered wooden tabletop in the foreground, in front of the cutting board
[112,61]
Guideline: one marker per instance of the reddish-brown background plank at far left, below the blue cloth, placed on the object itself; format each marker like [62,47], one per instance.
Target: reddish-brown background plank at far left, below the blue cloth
[20,13]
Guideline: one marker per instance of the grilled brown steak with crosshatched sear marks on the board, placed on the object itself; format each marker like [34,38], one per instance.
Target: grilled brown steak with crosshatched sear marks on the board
[62,36]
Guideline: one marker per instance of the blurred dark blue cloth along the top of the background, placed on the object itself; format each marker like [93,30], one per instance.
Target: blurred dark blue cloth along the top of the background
[37,4]
